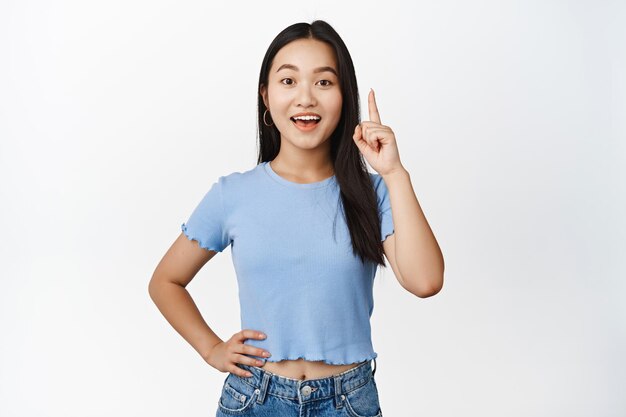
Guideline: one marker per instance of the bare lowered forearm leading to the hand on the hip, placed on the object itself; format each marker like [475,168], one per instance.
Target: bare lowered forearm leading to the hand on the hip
[179,309]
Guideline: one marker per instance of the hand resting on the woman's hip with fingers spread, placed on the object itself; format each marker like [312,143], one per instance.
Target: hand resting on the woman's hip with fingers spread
[225,355]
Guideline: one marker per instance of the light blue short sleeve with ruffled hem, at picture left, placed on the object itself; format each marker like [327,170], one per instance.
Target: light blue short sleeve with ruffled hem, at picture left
[206,223]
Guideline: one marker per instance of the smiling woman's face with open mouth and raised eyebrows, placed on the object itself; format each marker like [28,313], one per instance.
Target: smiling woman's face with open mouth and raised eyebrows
[304,78]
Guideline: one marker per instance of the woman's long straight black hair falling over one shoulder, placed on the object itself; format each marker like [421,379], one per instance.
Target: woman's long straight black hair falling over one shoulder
[358,196]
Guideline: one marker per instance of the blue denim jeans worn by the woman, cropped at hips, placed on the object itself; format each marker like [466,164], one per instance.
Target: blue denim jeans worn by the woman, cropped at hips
[352,393]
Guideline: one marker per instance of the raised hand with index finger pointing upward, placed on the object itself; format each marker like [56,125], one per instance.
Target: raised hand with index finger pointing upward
[377,142]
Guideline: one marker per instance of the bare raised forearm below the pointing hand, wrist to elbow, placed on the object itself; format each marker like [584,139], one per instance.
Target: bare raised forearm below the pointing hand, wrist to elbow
[417,253]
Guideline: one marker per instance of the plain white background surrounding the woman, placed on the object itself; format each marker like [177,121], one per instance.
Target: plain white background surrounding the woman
[116,116]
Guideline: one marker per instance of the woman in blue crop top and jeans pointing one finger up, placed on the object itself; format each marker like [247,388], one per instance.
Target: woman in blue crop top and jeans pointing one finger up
[308,226]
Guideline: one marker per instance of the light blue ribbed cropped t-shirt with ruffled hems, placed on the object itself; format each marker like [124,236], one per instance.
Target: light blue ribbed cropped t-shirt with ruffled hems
[298,280]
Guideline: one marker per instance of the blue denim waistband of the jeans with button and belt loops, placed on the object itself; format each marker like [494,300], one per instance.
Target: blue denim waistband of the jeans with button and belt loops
[302,391]
